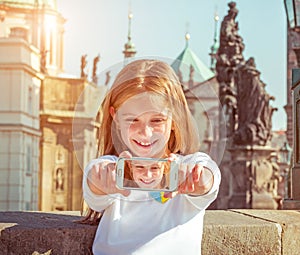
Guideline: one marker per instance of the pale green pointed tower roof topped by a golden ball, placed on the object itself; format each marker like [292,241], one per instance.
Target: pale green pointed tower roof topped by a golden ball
[188,60]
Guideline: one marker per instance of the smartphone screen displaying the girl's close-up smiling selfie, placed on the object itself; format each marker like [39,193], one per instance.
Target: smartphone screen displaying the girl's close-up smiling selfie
[147,174]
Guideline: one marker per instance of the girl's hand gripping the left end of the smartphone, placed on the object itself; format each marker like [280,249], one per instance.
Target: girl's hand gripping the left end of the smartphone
[102,179]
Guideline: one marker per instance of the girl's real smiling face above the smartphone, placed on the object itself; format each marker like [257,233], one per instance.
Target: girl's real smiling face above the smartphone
[145,125]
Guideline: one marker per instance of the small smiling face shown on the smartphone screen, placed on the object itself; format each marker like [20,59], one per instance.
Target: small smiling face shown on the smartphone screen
[147,175]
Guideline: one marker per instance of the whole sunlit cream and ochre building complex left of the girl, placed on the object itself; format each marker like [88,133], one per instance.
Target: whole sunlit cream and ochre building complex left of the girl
[47,130]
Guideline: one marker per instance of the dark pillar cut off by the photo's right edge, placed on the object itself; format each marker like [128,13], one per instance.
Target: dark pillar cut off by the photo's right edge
[294,201]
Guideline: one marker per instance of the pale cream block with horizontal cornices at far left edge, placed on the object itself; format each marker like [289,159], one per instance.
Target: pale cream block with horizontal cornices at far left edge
[19,128]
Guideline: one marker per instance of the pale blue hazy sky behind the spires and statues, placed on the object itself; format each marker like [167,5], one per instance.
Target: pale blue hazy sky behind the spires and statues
[158,28]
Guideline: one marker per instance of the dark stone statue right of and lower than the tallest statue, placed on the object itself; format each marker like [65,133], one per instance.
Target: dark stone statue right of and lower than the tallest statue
[254,110]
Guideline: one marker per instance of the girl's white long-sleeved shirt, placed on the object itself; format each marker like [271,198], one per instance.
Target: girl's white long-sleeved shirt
[140,225]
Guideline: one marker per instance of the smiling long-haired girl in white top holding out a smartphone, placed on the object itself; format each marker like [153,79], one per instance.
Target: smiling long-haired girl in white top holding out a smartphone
[145,114]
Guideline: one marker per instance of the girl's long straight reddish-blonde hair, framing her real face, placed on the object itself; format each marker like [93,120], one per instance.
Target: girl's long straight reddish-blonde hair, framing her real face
[157,78]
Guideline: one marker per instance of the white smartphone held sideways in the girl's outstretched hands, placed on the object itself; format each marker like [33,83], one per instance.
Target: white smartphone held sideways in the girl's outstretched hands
[151,174]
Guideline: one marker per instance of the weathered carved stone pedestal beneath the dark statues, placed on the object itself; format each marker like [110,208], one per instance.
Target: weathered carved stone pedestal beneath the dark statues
[254,178]
